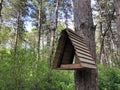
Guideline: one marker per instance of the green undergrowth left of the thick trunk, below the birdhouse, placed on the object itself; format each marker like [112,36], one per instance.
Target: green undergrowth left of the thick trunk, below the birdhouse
[47,79]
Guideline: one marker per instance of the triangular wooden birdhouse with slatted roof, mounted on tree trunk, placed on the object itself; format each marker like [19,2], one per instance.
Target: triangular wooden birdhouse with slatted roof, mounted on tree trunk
[72,52]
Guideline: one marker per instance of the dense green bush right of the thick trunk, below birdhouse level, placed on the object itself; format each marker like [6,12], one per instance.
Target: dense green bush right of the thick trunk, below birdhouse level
[108,78]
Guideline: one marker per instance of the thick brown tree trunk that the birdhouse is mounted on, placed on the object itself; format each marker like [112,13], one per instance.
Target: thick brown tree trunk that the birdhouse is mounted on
[85,79]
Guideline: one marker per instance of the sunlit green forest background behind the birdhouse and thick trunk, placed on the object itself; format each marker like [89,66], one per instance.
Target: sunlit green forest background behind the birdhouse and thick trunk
[29,32]
